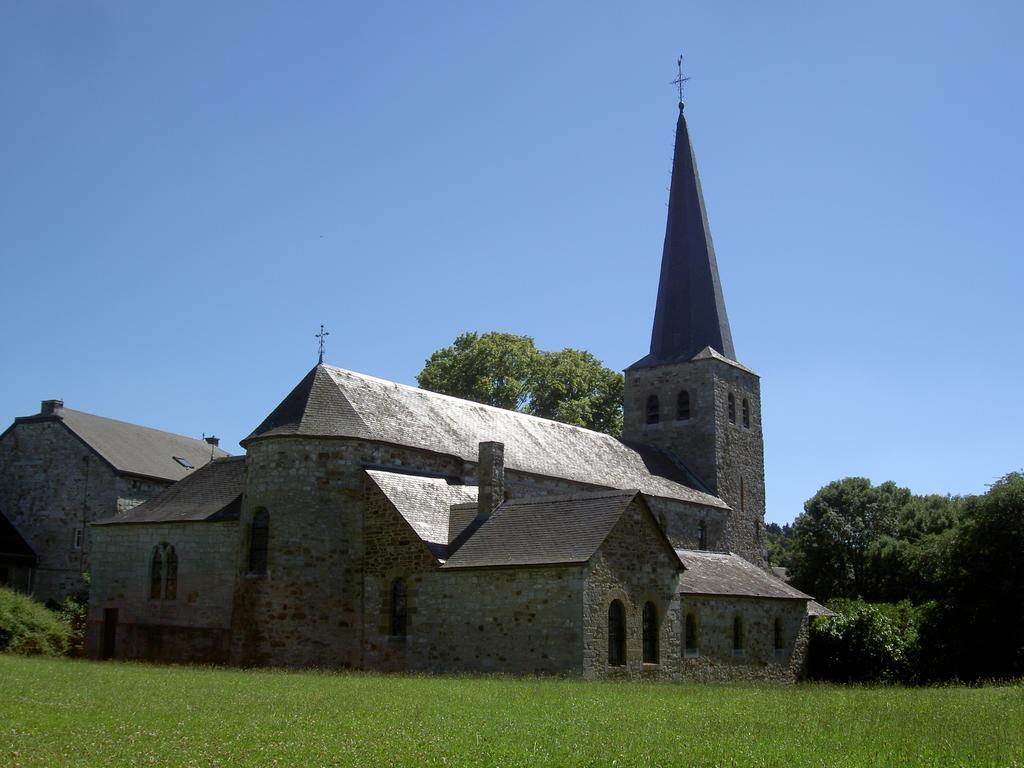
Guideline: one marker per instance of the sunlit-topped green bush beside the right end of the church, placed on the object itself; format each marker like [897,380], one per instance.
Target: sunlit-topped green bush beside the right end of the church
[865,644]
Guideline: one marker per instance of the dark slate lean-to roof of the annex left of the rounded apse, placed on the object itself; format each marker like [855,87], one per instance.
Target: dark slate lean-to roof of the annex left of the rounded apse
[211,494]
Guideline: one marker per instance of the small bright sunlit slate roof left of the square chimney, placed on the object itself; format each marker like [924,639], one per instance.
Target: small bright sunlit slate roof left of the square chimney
[425,503]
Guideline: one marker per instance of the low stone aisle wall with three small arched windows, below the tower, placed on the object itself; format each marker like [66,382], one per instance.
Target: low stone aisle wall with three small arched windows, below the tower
[758,660]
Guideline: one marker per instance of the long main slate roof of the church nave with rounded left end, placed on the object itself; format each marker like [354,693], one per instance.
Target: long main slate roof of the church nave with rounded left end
[332,402]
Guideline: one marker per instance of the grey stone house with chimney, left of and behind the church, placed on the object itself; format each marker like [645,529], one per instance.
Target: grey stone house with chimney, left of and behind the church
[60,471]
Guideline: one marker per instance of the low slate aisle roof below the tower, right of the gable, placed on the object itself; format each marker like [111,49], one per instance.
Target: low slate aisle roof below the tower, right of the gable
[726,574]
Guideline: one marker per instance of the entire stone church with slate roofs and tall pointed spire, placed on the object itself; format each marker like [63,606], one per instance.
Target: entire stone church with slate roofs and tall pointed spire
[375,526]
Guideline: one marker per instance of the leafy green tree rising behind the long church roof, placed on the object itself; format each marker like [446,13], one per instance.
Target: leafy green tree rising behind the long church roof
[509,371]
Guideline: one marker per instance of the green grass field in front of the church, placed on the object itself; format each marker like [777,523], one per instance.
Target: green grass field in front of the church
[60,712]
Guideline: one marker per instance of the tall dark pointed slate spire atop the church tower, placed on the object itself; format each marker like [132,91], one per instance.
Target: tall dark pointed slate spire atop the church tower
[691,313]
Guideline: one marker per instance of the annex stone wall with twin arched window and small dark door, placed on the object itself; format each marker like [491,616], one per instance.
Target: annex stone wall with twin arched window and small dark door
[196,625]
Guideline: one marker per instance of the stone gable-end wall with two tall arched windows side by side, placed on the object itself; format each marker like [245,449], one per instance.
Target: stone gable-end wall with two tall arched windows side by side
[634,566]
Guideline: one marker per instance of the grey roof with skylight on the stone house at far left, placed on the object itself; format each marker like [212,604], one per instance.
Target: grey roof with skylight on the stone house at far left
[131,449]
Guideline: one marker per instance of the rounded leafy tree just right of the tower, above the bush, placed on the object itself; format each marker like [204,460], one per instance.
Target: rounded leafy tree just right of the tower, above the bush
[834,534]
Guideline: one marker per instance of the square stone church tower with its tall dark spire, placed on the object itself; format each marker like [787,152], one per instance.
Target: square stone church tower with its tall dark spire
[691,397]
